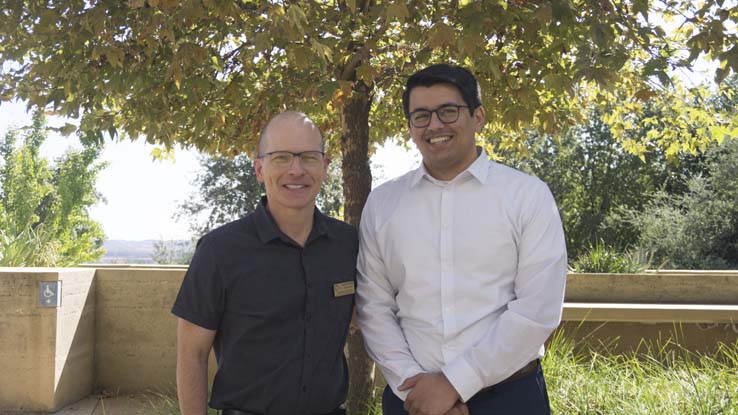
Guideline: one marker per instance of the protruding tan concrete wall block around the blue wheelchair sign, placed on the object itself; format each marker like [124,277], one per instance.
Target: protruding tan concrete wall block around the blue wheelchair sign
[46,354]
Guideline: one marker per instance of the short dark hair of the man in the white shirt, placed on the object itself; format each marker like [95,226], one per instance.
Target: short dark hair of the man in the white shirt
[443,73]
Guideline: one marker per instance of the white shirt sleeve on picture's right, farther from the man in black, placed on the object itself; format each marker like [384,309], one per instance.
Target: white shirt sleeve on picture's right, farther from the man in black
[516,337]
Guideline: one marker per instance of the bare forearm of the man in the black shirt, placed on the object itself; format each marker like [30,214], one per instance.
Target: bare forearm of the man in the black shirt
[192,385]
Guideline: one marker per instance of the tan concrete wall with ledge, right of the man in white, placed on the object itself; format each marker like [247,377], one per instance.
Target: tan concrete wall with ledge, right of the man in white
[708,315]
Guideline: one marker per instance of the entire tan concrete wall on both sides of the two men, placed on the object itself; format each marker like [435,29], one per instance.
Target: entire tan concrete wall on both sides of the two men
[114,331]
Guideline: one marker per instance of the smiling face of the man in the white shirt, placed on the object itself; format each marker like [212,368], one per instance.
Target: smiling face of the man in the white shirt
[447,149]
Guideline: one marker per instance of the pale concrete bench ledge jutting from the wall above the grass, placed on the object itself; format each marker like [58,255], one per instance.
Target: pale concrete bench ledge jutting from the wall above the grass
[651,313]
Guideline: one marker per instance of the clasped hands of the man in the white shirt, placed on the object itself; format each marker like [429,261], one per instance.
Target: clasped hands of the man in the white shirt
[431,394]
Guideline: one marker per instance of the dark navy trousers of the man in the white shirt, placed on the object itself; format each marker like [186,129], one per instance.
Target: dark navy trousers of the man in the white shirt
[526,396]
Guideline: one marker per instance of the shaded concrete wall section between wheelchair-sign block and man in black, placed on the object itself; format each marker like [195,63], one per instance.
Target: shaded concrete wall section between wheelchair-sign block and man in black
[136,332]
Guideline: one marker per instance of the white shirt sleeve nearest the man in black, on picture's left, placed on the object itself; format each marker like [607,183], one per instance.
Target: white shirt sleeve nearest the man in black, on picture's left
[377,311]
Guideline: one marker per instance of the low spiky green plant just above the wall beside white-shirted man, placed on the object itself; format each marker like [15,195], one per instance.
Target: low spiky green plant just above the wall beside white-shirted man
[600,258]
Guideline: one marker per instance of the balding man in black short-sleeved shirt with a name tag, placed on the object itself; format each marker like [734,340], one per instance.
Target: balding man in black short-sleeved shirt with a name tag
[272,293]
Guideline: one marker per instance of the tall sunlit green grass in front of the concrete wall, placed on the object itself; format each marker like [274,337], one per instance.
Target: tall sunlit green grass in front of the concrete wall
[661,379]
